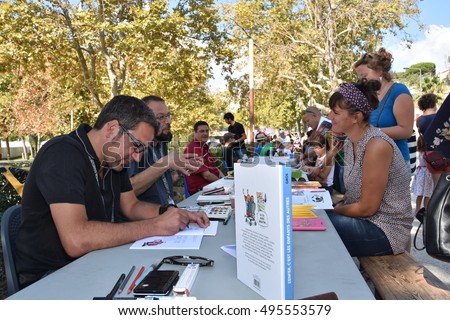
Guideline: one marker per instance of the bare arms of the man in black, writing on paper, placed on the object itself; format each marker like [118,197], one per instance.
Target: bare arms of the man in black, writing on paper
[79,235]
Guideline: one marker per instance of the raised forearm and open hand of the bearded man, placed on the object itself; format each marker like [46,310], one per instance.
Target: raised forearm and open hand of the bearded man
[181,162]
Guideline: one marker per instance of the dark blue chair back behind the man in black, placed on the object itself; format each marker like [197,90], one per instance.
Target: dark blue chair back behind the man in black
[11,220]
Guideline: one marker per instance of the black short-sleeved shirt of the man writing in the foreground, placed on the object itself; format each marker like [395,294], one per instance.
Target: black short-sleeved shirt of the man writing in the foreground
[63,172]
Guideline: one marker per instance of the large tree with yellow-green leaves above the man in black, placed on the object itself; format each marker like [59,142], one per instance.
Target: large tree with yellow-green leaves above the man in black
[93,50]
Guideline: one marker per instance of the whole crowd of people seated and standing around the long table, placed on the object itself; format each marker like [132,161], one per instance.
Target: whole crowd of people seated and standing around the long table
[113,183]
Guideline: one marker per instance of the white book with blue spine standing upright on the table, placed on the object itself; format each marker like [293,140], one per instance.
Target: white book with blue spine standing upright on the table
[263,215]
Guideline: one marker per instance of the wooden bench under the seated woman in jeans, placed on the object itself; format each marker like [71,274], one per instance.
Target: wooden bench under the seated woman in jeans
[401,277]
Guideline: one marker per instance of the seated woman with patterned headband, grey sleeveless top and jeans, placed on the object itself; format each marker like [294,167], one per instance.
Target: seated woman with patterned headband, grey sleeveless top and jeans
[375,217]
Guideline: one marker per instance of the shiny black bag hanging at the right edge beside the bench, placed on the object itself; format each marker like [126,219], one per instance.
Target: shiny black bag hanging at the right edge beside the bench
[435,220]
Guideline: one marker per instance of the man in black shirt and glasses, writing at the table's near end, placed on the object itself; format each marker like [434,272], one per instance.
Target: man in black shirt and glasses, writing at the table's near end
[77,190]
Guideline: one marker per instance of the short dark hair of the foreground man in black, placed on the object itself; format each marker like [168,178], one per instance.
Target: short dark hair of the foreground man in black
[129,111]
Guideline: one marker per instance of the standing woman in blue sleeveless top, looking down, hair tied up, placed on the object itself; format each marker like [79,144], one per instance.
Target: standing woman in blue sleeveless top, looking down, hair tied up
[395,113]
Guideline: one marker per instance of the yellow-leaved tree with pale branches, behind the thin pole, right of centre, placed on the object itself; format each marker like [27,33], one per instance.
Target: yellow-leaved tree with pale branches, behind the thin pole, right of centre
[308,46]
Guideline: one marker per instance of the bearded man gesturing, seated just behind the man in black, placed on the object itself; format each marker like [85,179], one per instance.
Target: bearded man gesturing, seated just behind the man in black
[153,176]
